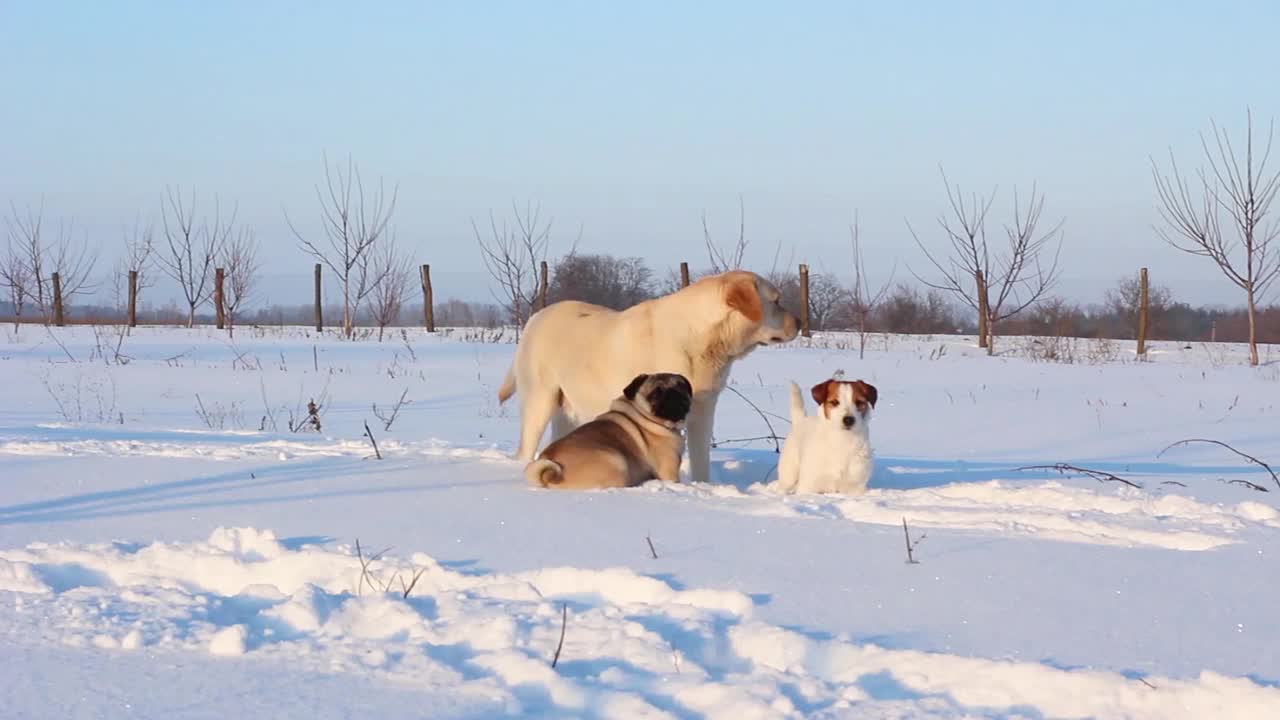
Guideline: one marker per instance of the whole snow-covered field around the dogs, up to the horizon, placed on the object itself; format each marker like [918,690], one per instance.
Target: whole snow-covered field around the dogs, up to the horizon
[171,549]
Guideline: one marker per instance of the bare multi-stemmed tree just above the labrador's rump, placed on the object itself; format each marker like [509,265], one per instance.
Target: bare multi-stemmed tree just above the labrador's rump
[513,256]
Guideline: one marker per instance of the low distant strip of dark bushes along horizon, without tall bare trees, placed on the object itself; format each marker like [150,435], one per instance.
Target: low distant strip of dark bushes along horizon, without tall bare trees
[904,308]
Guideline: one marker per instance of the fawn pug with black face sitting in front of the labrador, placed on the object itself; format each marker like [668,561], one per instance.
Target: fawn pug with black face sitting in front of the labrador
[639,439]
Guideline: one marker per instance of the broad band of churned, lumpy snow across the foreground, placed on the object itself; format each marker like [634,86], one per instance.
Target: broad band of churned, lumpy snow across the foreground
[628,645]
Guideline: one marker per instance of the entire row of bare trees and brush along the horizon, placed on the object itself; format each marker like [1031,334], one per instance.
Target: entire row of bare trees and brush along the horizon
[990,268]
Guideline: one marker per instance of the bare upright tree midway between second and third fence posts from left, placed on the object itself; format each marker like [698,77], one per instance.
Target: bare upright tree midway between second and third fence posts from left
[191,249]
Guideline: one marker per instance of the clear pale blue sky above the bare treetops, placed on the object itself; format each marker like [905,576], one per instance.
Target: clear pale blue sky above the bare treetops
[630,120]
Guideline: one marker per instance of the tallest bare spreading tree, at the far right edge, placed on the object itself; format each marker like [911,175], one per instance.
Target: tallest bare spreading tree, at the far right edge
[1241,188]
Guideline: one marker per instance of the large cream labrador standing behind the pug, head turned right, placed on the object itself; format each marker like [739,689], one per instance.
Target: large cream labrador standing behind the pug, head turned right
[574,356]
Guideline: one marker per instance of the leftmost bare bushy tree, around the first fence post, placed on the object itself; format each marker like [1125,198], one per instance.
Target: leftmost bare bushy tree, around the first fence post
[40,258]
